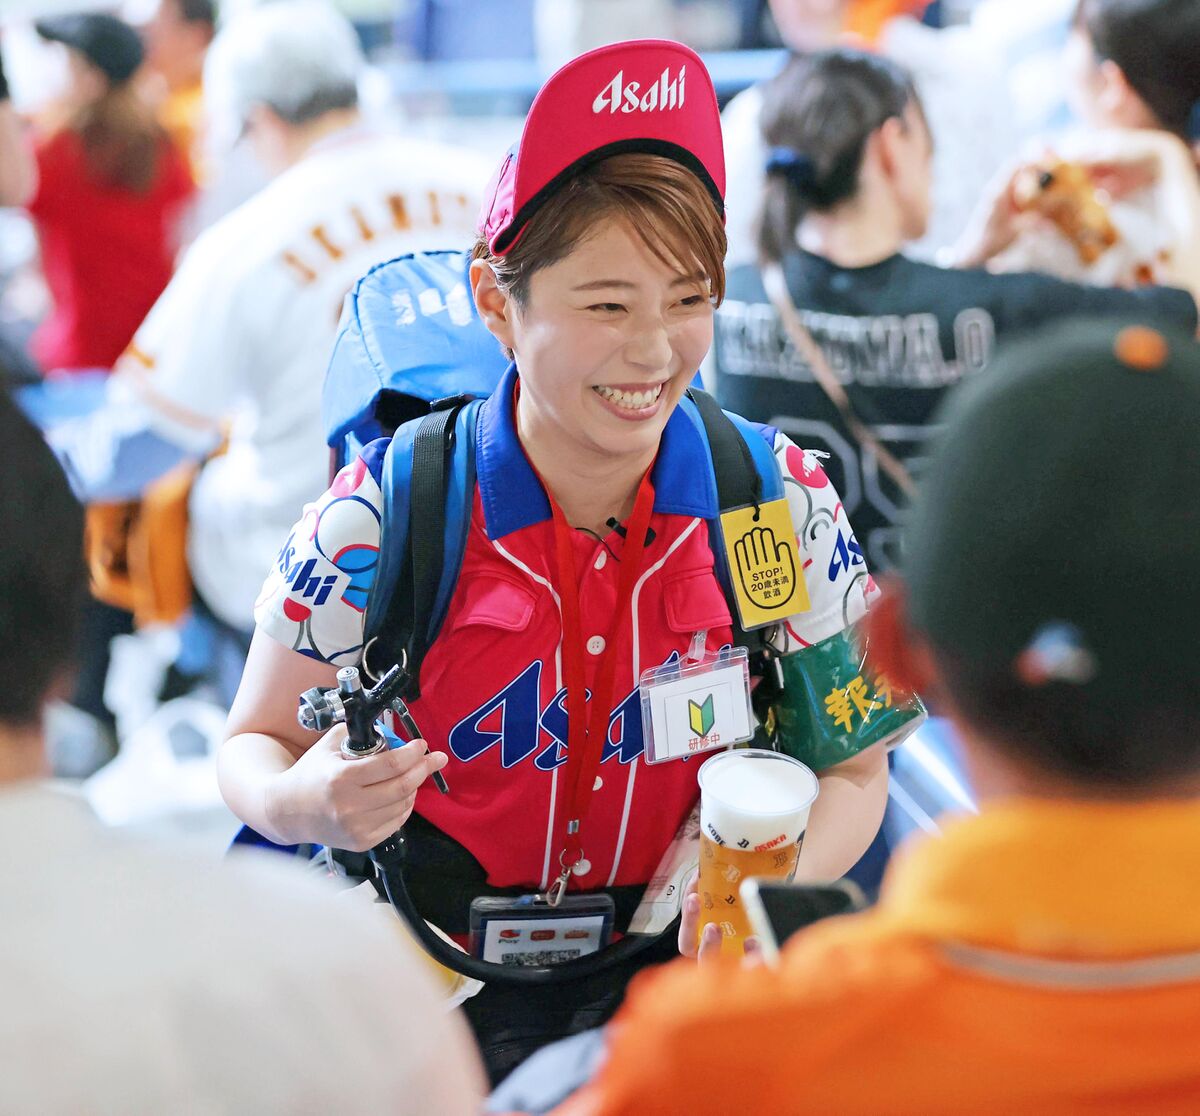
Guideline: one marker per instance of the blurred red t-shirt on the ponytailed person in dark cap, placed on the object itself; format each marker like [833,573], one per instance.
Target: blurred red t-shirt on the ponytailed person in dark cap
[107,251]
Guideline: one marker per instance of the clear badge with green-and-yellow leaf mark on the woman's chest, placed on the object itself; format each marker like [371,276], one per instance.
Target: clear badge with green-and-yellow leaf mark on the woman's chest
[695,706]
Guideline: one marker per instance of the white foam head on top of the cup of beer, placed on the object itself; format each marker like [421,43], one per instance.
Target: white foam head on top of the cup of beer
[755,800]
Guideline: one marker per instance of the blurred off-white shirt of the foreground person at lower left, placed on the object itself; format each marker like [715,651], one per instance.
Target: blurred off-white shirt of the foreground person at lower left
[139,980]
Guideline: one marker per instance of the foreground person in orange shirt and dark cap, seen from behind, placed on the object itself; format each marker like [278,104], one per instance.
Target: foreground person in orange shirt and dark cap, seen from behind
[1045,956]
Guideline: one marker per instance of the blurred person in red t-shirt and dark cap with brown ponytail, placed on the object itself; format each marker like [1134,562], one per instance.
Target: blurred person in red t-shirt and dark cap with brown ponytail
[110,189]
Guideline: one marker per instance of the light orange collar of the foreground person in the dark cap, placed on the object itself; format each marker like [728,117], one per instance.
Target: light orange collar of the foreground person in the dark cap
[1057,880]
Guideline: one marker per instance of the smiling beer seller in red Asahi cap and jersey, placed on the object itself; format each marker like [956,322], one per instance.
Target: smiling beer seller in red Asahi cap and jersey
[595,556]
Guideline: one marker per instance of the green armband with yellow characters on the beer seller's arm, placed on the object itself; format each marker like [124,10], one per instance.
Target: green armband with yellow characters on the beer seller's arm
[835,705]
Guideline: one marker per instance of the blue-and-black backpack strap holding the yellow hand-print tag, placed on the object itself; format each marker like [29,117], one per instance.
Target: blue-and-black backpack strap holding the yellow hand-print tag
[747,473]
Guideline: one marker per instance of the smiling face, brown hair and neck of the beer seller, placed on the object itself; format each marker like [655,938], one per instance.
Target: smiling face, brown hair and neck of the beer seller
[607,338]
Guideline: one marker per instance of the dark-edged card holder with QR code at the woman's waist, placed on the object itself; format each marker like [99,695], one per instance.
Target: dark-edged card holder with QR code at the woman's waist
[526,931]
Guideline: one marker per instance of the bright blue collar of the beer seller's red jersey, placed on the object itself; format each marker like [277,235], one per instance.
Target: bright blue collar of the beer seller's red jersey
[513,496]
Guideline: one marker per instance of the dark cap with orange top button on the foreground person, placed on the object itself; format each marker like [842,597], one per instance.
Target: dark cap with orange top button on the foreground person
[1057,535]
